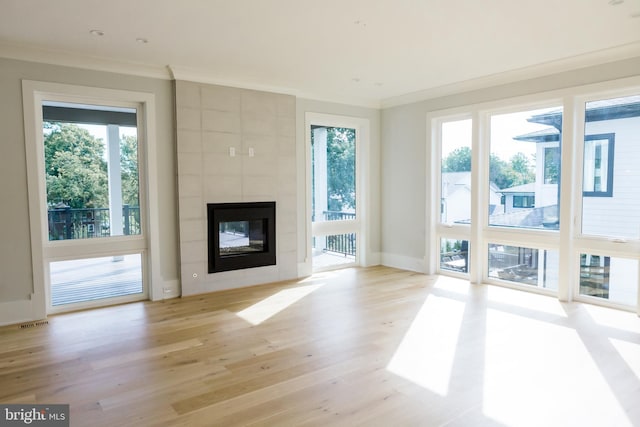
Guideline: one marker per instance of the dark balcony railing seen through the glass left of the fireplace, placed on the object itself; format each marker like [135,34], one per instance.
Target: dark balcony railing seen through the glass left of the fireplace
[68,223]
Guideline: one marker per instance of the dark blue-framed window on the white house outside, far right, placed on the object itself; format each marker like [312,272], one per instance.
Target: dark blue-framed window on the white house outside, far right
[598,165]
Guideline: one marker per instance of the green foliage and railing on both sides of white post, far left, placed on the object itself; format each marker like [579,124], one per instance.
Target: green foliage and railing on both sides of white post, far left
[77,183]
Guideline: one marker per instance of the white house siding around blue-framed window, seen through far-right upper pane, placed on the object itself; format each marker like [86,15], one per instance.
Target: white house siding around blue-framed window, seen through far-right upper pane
[619,215]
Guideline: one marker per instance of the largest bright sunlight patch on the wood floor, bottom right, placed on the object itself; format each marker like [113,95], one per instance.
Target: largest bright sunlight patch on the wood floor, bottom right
[562,385]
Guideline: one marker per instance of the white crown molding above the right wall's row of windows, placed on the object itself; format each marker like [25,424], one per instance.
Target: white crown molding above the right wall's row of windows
[599,57]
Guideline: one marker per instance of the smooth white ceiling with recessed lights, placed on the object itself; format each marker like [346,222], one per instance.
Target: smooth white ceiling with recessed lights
[366,52]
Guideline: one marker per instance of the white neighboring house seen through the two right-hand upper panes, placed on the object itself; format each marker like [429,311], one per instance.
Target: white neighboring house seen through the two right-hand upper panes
[609,176]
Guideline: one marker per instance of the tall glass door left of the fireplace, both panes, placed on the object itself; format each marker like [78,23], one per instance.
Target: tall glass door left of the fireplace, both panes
[94,250]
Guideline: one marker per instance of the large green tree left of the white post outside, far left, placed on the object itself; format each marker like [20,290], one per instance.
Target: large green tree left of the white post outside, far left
[76,171]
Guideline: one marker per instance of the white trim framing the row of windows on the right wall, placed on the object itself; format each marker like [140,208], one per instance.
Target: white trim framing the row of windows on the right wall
[566,240]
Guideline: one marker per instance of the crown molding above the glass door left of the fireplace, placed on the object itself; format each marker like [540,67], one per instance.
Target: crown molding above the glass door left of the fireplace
[69,59]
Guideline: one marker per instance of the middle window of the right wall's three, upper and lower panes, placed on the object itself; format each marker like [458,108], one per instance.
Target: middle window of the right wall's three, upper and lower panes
[523,198]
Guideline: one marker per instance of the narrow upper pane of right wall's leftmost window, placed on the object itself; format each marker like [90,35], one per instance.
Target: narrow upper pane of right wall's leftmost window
[455,177]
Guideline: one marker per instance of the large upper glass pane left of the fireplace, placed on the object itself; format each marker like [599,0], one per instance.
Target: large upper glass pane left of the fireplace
[92,179]
